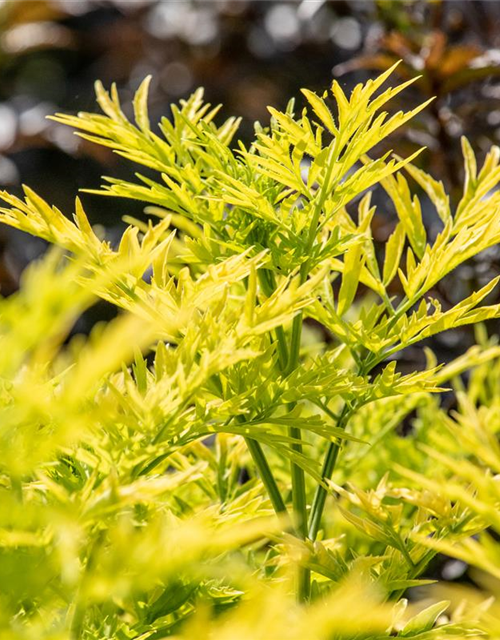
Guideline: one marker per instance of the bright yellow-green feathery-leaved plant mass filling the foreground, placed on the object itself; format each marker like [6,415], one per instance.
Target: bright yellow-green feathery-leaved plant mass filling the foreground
[225,458]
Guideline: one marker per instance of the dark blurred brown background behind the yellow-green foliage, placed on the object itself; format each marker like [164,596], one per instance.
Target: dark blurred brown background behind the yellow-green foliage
[247,54]
